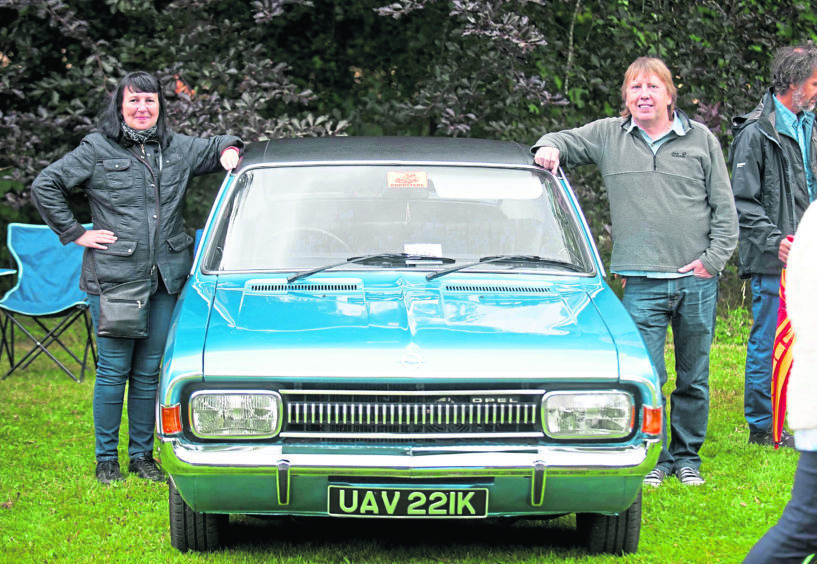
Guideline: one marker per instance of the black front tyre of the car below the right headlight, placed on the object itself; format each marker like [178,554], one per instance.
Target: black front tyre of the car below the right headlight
[616,534]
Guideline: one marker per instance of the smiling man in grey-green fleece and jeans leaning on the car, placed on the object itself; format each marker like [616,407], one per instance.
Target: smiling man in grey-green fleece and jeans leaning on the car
[674,228]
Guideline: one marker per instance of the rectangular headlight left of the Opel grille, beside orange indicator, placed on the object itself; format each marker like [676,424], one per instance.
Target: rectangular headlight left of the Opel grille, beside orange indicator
[235,414]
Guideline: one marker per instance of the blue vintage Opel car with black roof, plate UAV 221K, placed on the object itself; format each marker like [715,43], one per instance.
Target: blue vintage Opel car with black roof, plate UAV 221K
[411,328]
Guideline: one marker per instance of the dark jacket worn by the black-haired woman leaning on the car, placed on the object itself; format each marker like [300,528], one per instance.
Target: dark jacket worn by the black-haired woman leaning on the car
[121,181]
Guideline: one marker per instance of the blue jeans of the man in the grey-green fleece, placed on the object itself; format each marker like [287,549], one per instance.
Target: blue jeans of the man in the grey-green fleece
[688,304]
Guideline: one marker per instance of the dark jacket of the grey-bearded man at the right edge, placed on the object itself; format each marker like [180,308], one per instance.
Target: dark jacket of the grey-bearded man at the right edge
[769,183]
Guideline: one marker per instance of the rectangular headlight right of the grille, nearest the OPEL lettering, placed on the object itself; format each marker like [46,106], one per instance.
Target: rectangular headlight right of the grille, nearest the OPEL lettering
[588,414]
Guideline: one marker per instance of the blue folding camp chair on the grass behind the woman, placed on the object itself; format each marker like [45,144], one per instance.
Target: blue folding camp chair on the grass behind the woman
[47,291]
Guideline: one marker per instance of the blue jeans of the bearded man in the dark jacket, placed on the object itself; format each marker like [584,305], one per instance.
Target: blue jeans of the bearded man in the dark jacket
[757,390]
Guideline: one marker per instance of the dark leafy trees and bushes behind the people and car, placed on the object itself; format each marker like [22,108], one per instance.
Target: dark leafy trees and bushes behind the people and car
[509,69]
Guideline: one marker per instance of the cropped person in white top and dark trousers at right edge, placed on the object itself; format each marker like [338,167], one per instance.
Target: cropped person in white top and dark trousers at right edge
[794,538]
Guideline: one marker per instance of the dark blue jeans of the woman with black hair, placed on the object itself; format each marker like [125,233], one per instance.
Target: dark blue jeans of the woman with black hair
[134,362]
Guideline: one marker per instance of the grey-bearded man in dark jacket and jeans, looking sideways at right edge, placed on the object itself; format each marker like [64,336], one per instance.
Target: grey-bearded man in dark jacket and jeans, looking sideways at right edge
[773,160]
